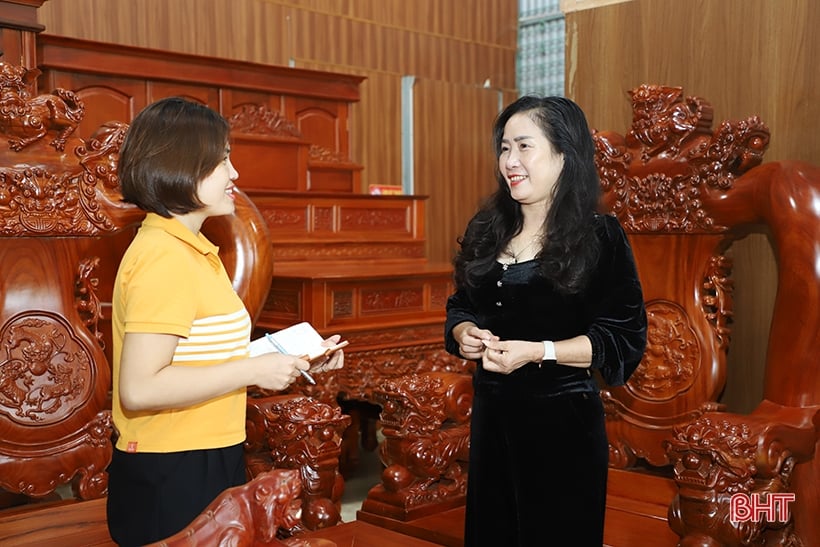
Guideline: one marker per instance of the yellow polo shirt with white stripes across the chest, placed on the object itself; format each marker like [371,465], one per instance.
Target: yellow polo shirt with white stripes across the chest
[171,281]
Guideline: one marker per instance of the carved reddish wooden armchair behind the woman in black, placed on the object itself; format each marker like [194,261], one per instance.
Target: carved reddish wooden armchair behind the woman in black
[684,193]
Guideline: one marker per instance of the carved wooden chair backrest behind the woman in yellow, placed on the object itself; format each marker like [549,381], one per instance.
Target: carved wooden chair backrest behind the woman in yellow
[58,202]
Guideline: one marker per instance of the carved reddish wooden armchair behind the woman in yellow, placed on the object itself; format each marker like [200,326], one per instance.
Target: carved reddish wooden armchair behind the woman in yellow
[63,229]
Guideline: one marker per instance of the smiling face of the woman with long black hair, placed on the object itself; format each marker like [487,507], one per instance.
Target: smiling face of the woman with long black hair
[528,161]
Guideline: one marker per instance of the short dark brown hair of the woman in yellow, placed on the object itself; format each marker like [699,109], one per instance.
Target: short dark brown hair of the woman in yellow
[170,146]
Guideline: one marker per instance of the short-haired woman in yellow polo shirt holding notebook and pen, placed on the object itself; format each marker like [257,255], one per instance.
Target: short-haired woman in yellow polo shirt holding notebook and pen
[180,331]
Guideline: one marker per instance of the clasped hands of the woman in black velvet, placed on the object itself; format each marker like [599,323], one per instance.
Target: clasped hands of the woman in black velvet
[497,356]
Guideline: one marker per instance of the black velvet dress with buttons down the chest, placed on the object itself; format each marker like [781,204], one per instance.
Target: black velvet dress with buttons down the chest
[538,446]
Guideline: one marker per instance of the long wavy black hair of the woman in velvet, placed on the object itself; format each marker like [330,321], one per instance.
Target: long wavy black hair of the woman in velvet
[571,246]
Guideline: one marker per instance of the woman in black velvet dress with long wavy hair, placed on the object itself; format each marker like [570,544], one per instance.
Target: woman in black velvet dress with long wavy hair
[547,294]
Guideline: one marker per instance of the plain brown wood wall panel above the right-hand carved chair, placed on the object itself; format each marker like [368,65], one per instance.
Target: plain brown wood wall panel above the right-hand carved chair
[763,62]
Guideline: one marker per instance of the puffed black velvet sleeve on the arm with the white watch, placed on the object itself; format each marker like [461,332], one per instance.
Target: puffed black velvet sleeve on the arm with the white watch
[618,328]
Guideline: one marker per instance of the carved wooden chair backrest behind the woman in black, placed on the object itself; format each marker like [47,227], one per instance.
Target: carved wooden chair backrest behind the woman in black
[684,192]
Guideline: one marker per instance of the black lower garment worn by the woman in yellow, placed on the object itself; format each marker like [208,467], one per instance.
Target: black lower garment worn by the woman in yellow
[154,495]
